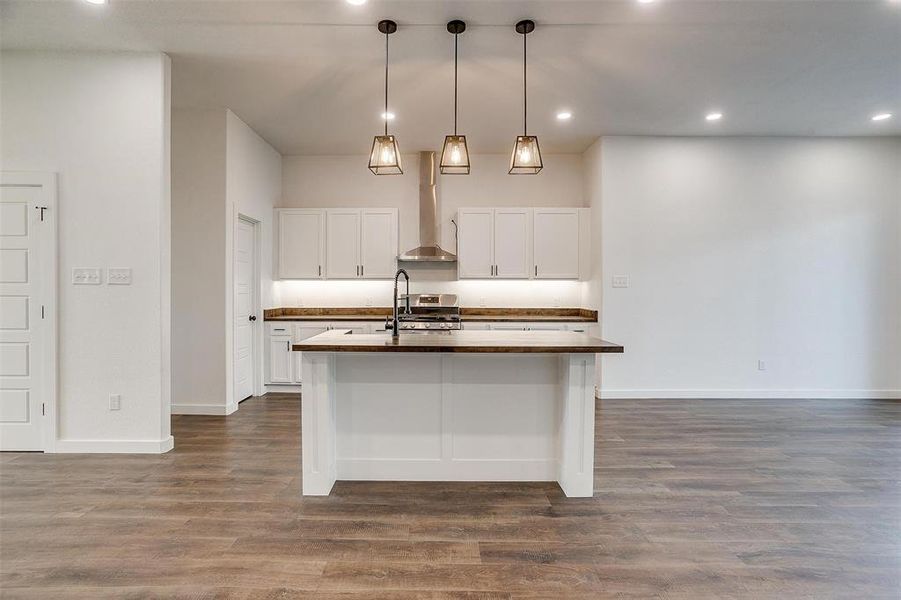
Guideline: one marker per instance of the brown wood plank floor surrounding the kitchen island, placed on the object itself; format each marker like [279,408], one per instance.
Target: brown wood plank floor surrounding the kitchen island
[694,499]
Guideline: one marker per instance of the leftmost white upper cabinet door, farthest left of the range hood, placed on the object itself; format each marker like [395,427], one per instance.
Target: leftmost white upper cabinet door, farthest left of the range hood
[301,243]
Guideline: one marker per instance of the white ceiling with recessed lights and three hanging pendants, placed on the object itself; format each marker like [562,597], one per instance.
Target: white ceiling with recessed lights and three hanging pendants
[307,75]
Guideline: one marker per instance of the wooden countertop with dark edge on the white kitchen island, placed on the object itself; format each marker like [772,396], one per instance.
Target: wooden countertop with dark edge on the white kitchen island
[512,342]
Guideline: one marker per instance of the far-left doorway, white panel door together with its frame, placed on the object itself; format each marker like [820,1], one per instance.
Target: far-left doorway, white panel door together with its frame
[28,271]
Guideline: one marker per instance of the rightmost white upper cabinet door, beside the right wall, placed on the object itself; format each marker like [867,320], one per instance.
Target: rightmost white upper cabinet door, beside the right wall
[556,247]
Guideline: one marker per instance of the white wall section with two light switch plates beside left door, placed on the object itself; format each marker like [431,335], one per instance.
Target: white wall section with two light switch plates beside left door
[101,121]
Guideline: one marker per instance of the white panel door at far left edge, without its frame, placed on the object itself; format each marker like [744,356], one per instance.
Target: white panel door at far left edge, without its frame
[23,379]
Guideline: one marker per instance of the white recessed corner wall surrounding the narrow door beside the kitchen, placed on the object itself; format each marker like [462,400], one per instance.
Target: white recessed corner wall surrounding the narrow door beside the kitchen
[222,169]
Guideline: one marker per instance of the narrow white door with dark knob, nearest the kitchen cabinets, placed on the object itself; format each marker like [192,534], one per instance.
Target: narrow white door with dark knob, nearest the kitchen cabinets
[245,319]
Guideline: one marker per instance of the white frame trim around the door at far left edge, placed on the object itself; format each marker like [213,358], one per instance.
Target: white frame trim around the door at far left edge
[48,278]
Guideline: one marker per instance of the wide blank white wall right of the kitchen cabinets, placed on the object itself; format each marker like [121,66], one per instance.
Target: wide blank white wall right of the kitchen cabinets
[739,250]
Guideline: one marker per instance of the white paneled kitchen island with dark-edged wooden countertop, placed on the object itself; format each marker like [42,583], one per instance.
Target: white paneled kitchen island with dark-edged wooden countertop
[450,406]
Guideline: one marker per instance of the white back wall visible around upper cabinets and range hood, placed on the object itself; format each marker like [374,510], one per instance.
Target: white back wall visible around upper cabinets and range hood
[344,181]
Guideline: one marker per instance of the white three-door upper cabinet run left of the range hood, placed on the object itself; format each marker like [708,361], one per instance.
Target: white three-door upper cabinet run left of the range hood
[337,243]
